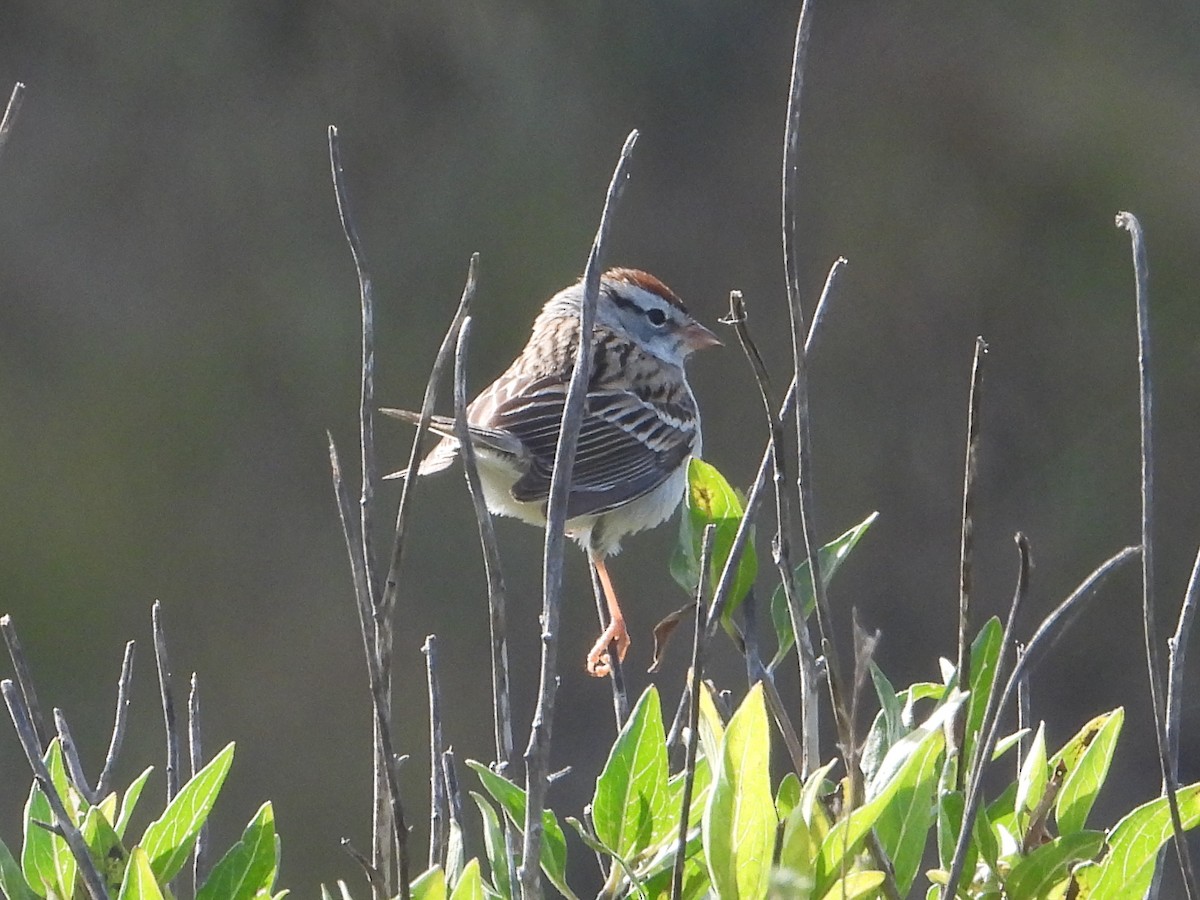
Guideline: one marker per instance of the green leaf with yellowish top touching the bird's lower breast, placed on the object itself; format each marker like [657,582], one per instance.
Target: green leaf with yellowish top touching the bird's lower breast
[712,501]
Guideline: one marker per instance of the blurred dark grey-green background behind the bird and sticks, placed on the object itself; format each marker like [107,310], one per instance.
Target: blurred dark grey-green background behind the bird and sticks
[179,328]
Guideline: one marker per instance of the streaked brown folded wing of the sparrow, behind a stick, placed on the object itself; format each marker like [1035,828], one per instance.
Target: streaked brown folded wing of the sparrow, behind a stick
[626,451]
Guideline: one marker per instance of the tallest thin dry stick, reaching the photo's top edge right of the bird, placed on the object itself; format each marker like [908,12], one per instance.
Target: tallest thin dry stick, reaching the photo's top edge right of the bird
[803,440]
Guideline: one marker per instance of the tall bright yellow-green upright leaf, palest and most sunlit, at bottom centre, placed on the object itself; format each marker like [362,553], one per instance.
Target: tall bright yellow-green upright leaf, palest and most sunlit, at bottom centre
[740,820]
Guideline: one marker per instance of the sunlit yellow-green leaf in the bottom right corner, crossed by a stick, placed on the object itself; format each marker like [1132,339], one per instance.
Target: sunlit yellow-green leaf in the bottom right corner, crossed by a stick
[1135,843]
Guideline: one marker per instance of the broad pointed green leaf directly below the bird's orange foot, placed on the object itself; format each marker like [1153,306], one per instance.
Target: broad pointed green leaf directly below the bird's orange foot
[631,803]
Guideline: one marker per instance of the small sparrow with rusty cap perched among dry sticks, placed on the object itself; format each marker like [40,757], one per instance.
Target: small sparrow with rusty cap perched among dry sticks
[640,427]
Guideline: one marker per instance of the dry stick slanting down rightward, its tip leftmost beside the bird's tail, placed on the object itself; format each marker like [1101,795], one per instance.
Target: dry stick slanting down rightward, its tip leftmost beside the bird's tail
[379,698]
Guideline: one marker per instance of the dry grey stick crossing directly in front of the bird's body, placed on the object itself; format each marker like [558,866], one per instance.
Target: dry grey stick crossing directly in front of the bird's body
[538,752]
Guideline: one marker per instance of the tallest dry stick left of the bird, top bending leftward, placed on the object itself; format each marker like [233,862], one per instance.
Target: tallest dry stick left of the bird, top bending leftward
[382,637]
